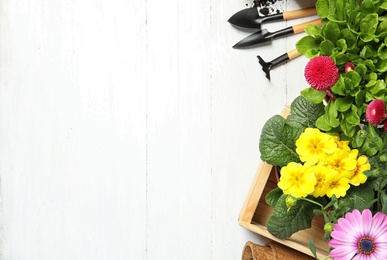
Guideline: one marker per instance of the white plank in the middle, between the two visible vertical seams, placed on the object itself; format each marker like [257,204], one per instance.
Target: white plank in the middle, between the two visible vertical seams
[179,131]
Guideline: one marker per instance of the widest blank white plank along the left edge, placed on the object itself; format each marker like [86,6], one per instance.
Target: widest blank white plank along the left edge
[72,120]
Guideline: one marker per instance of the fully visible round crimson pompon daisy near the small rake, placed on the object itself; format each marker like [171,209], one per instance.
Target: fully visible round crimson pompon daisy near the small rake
[321,73]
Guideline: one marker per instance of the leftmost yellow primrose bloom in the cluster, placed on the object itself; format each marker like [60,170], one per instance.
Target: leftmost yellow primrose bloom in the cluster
[297,180]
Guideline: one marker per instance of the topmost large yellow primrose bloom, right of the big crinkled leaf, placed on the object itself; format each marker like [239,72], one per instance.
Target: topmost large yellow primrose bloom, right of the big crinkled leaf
[313,145]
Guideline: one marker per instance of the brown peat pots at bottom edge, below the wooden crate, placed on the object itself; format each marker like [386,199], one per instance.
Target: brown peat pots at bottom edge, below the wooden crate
[272,251]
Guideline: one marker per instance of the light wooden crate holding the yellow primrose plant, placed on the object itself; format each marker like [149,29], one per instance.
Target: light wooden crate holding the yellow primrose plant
[255,213]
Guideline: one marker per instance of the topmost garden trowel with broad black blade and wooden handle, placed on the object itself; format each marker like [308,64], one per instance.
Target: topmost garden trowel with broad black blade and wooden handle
[250,18]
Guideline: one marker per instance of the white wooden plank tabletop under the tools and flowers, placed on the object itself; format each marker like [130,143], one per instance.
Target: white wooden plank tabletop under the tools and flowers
[130,129]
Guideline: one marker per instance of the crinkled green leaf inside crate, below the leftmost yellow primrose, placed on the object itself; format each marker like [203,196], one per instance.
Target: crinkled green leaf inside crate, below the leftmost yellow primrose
[283,222]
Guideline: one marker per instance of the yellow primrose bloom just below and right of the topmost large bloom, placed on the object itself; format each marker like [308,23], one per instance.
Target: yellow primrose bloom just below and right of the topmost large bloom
[343,162]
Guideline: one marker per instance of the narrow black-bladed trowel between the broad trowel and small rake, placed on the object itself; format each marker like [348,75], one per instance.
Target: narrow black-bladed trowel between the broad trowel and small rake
[264,35]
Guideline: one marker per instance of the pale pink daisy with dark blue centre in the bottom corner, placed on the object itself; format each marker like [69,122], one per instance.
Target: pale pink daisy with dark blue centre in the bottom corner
[360,236]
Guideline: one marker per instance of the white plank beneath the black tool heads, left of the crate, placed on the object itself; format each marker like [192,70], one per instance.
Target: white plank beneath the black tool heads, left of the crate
[242,100]
